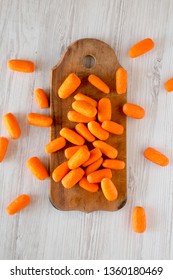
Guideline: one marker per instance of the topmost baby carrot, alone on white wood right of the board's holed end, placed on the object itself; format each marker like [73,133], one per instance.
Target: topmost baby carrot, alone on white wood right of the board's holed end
[141,47]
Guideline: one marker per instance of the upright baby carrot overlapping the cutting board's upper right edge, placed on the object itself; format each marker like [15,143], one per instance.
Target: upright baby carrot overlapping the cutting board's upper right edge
[121,80]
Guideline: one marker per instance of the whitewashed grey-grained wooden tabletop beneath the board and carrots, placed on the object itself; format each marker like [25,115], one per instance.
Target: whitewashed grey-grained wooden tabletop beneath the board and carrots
[40,30]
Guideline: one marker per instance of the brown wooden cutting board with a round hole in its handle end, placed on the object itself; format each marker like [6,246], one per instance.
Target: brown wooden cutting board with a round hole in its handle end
[75,59]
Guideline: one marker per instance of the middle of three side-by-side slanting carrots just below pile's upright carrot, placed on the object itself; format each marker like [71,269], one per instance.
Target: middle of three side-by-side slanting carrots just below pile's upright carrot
[96,129]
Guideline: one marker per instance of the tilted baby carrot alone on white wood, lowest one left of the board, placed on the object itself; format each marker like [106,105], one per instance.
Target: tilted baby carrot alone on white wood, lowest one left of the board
[18,204]
